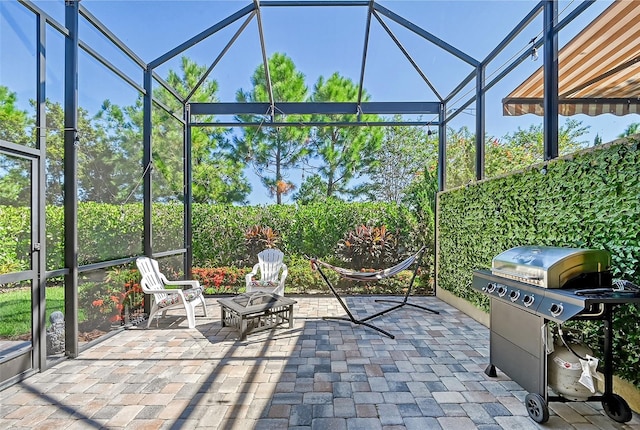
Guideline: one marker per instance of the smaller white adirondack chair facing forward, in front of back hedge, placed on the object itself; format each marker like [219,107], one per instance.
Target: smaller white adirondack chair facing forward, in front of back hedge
[273,273]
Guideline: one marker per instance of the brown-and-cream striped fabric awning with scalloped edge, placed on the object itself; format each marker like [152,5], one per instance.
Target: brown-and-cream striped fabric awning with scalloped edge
[599,69]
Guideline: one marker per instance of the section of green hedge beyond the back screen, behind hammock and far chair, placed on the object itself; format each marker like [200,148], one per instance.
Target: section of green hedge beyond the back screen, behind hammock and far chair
[309,230]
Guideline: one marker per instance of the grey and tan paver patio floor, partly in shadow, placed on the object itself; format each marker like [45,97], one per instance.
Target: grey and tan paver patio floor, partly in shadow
[319,375]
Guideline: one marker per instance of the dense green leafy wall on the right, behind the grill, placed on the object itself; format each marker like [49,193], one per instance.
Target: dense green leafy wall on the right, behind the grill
[590,199]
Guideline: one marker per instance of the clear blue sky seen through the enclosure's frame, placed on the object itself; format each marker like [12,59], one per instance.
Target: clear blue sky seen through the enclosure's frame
[320,40]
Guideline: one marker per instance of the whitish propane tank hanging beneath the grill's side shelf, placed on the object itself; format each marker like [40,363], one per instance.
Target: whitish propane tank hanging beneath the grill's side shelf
[564,370]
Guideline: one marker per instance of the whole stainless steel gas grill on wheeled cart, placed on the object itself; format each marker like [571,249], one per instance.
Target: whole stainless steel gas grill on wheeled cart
[529,286]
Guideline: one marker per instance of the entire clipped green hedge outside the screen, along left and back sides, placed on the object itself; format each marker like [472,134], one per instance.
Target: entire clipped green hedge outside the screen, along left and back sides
[108,232]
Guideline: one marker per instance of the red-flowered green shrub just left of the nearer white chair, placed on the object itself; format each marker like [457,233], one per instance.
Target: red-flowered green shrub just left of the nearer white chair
[114,301]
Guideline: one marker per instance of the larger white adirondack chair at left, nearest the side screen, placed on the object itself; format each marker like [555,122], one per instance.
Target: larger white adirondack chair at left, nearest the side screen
[162,299]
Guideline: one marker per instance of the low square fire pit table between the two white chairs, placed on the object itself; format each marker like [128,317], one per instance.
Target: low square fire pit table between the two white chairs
[249,313]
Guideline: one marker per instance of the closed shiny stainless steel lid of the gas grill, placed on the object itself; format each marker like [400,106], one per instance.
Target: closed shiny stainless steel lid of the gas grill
[549,267]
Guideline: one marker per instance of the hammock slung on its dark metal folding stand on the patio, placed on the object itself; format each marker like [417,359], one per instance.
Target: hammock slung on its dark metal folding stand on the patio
[315,263]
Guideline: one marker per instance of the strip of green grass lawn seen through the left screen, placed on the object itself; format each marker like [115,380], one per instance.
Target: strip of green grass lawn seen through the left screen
[15,310]
